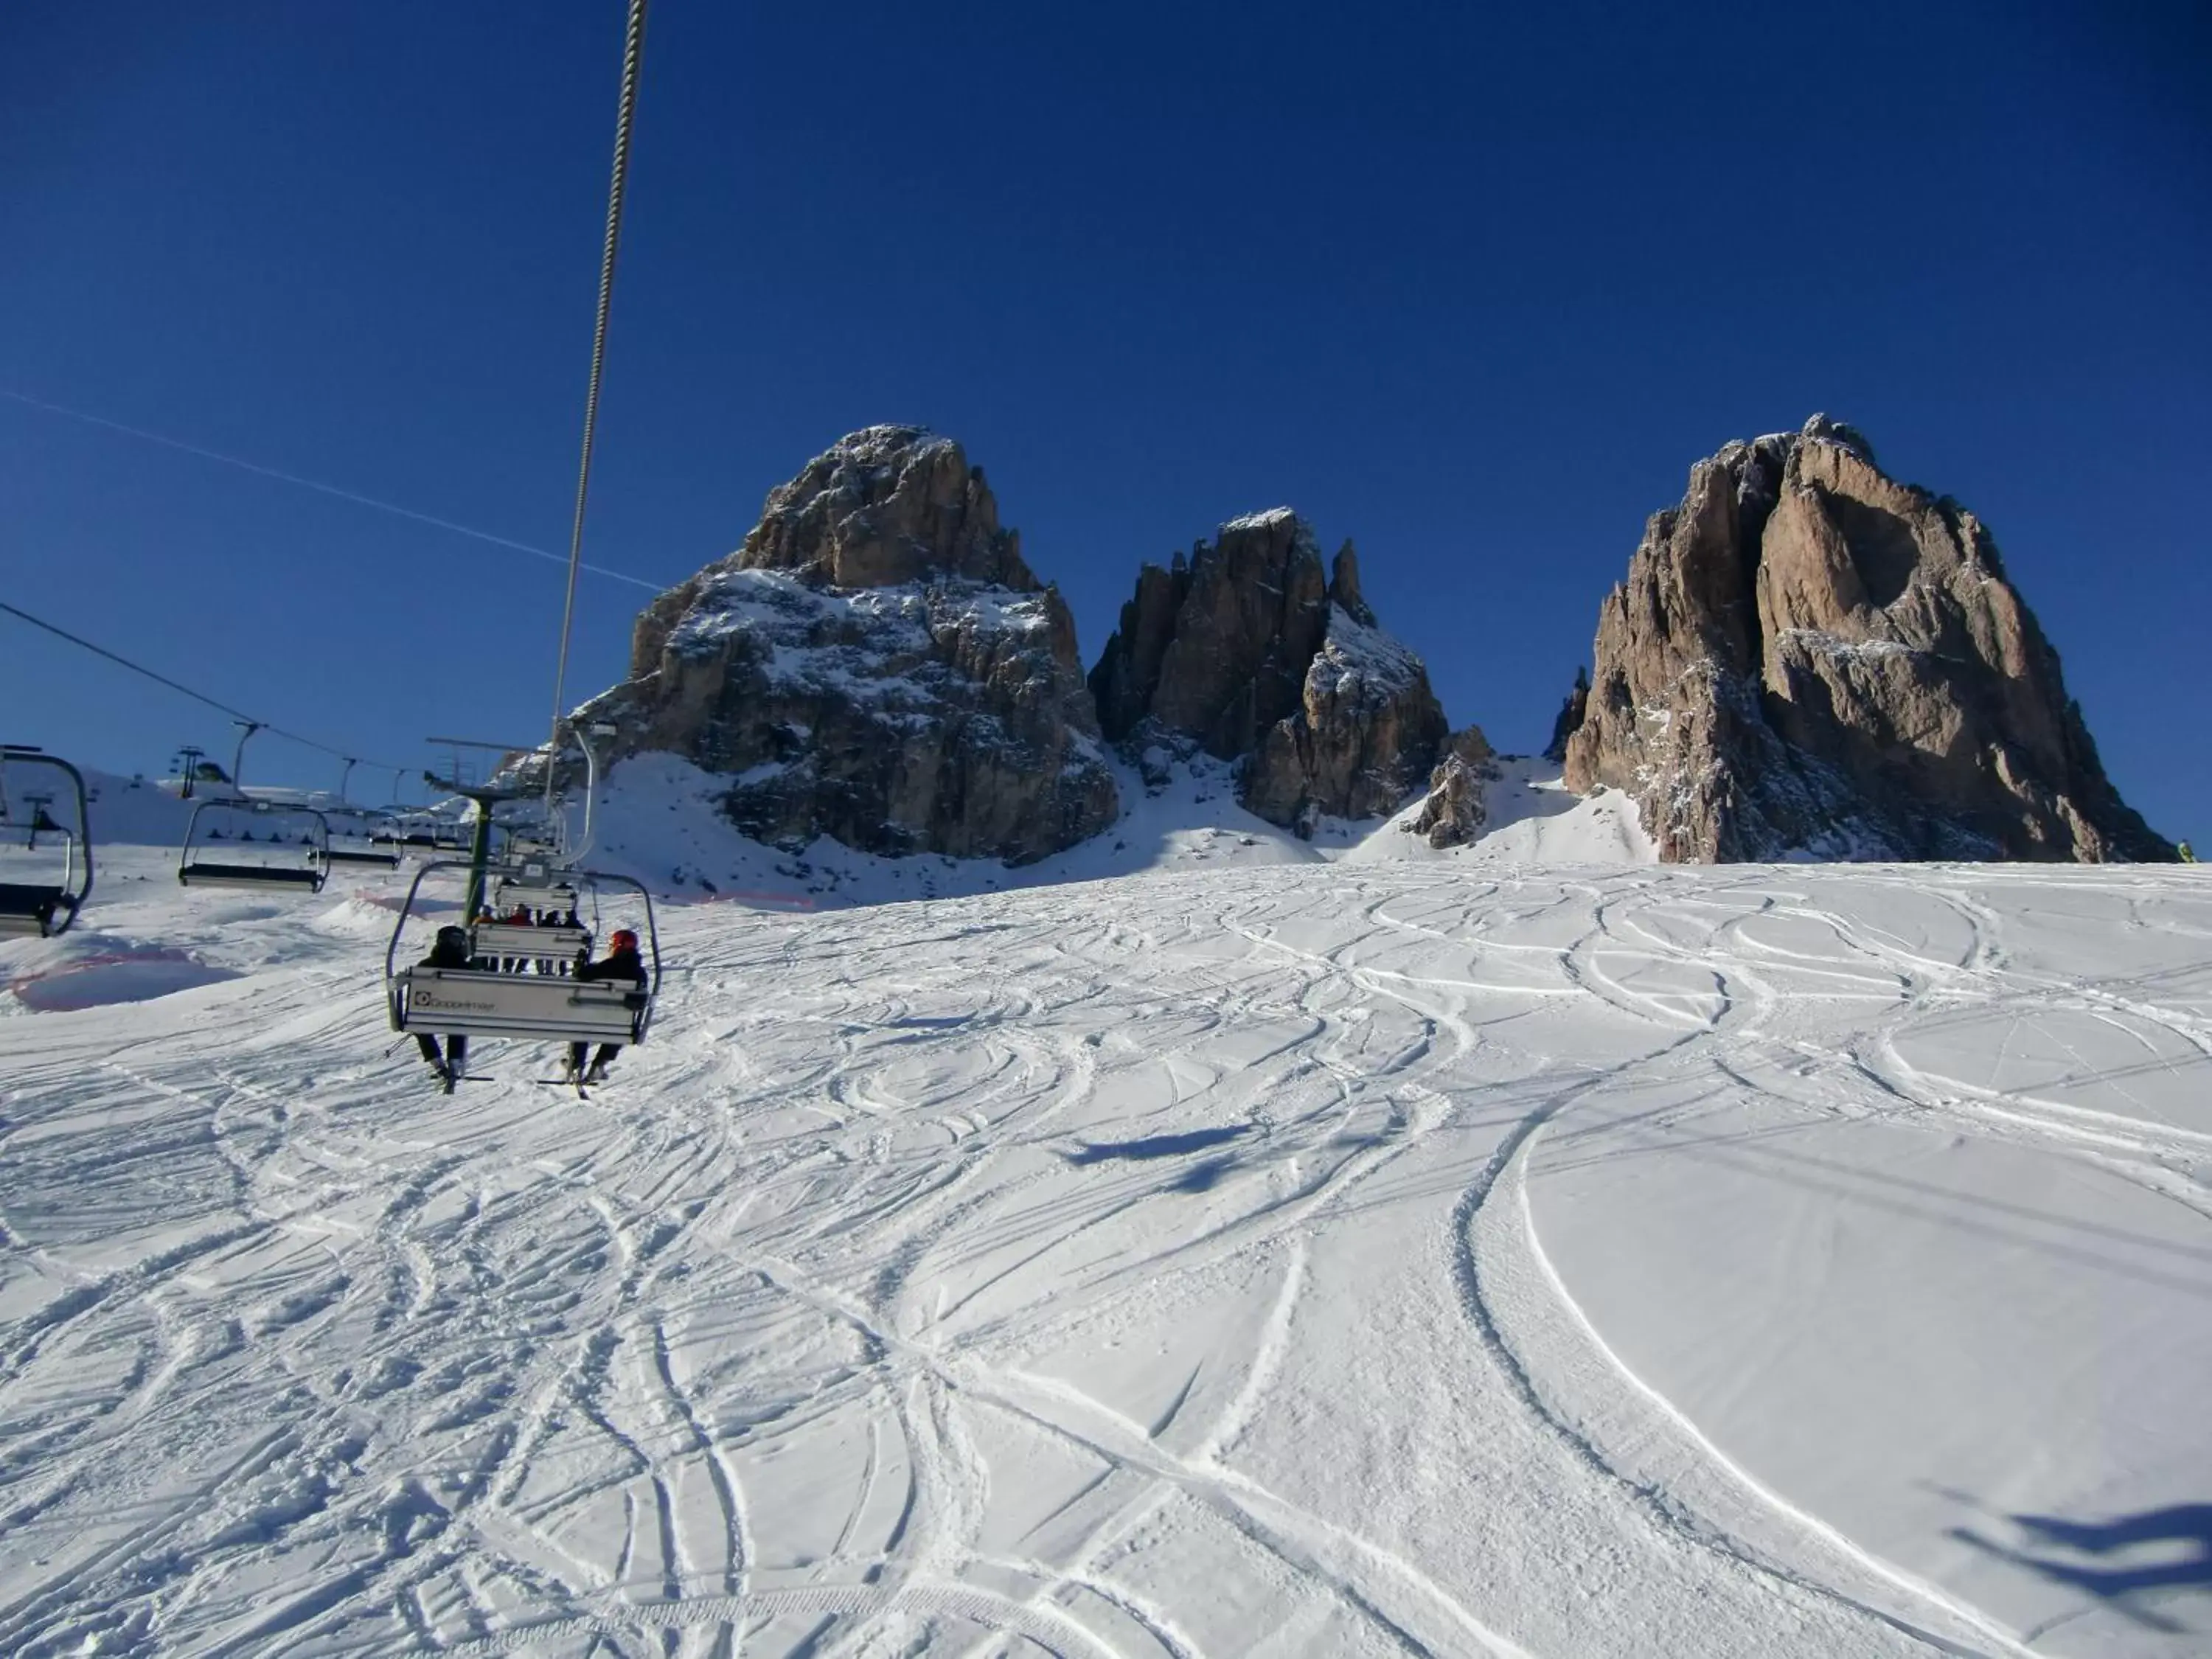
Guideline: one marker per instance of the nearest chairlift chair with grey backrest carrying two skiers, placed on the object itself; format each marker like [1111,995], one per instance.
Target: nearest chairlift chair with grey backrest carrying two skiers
[534,1008]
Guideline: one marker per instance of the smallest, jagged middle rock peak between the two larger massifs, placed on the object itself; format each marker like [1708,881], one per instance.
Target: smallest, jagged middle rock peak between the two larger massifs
[1249,654]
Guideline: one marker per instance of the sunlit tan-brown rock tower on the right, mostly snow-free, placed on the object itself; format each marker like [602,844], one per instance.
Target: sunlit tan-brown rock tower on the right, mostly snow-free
[1815,660]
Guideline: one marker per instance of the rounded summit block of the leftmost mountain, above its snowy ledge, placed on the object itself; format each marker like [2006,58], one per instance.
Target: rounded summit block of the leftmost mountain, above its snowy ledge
[886,505]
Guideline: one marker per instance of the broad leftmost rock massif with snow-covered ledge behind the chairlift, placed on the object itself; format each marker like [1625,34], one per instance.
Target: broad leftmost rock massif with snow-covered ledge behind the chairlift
[879,667]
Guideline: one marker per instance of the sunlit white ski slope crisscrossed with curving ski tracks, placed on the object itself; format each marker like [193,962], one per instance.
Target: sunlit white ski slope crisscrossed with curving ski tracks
[1269,1260]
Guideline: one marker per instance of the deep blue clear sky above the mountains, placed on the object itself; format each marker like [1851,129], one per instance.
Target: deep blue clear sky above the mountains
[1468,284]
